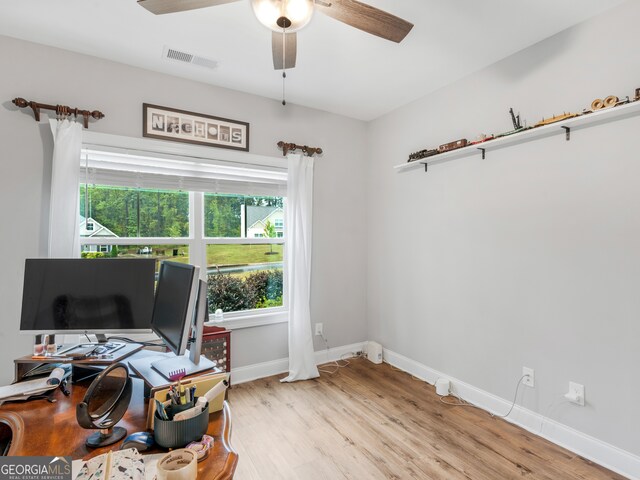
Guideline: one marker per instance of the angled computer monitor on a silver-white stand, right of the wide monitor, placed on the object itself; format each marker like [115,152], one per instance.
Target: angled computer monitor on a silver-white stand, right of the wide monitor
[178,316]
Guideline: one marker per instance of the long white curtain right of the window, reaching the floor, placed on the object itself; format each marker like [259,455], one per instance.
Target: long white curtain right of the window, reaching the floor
[302,365]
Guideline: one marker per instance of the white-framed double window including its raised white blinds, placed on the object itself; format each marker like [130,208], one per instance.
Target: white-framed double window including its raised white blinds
[172,216]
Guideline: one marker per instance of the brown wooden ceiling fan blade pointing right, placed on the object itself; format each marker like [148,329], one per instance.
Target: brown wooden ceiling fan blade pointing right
[367,18]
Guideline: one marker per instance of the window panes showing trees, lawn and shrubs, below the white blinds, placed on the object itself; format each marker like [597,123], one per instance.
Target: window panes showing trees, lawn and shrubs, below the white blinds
[190,227]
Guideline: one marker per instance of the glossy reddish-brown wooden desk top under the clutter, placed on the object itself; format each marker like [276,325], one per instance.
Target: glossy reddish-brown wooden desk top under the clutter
[43,428]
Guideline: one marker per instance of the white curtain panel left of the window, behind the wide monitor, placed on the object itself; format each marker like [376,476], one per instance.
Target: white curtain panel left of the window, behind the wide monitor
[64,241]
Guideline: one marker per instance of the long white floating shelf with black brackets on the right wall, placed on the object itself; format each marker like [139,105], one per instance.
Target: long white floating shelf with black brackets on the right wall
[564,127]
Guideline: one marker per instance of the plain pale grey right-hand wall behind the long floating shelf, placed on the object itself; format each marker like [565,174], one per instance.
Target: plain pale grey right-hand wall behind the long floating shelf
[530,257]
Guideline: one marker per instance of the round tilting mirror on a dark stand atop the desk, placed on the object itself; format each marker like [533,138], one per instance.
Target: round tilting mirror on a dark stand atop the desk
[104,404]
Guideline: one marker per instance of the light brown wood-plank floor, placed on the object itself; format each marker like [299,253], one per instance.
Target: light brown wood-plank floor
[374,422]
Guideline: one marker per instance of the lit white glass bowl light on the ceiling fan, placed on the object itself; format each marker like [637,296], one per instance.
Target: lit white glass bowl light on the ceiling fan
[277,15]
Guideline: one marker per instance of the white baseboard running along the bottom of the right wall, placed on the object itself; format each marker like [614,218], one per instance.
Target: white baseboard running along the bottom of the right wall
[602,453]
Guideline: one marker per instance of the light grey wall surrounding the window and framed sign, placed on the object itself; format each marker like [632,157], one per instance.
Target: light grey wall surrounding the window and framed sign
[51,75]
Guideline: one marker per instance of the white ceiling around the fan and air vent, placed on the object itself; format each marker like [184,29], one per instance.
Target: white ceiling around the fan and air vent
[339,69]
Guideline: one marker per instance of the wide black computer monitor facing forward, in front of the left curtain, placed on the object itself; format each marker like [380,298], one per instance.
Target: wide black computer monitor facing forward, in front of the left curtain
[108,295]
